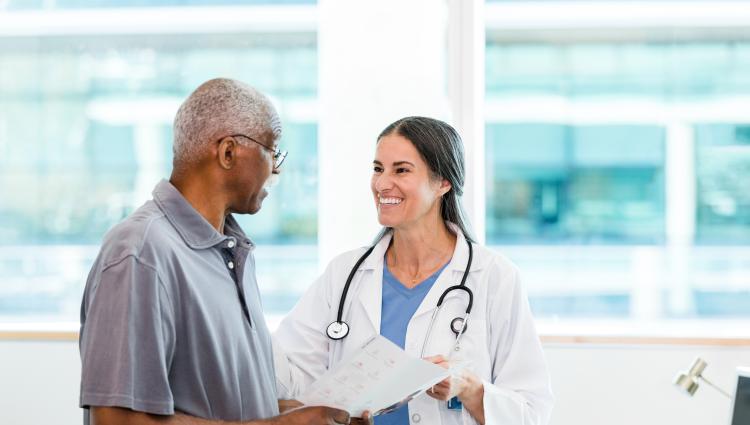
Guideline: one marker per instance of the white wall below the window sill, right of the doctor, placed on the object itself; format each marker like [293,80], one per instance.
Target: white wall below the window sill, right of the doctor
[626,385]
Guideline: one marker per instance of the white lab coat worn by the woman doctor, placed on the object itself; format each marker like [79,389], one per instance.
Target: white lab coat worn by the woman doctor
[500,341]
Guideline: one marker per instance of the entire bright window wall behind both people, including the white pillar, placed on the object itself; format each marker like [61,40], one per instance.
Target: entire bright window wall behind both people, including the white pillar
[615,155]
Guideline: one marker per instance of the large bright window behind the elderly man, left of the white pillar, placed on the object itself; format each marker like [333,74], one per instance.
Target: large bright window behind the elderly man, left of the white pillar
[86,133]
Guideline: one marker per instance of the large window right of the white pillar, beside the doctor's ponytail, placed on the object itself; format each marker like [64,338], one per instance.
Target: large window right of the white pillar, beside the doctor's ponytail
[594,152]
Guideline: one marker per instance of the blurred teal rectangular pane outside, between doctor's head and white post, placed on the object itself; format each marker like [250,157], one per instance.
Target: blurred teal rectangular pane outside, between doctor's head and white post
[555,183]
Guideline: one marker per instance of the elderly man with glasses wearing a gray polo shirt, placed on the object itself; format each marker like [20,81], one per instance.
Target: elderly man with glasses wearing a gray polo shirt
[172,330]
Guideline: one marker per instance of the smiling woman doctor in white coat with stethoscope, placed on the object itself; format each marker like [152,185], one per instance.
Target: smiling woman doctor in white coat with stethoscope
[424,249]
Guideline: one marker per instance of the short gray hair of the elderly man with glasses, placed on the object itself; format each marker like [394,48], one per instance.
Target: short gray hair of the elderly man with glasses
[219,108]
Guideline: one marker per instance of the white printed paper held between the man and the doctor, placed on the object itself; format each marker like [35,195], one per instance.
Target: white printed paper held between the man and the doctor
[379,377]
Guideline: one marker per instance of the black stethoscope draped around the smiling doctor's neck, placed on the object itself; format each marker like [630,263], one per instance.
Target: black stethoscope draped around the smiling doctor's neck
[339,329]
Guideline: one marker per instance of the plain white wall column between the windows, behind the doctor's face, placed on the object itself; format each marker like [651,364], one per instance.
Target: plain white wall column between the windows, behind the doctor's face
[375,66]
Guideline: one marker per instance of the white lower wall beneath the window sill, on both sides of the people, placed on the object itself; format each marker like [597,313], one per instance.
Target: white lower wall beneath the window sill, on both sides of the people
[594,385]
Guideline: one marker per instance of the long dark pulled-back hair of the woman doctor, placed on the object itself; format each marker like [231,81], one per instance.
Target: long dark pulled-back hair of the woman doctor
[442,150]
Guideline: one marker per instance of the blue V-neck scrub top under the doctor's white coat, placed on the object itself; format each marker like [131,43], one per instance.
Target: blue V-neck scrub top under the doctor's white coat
[399,305]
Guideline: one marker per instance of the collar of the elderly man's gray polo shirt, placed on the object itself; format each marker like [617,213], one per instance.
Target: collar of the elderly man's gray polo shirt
[194,229]
